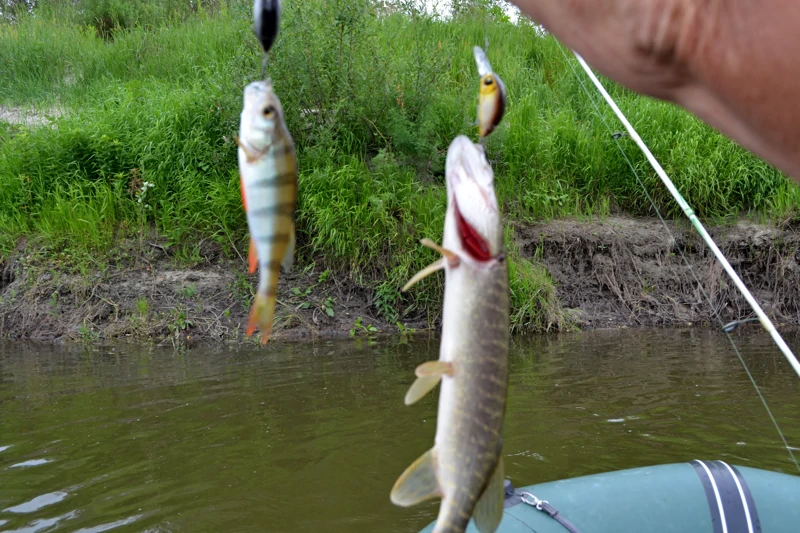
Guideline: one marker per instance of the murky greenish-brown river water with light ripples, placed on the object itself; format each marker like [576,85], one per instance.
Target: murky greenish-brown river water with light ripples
[310,438]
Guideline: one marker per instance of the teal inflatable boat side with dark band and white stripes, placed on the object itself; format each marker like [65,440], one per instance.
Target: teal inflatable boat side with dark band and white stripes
[696,497]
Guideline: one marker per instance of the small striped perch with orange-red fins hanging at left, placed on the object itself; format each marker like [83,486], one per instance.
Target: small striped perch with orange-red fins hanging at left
[268,172]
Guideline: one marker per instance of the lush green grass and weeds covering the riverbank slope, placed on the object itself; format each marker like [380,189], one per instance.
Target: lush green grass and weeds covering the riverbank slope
[151,91]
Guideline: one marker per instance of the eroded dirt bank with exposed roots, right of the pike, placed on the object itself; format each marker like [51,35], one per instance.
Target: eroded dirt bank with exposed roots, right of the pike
[631,272]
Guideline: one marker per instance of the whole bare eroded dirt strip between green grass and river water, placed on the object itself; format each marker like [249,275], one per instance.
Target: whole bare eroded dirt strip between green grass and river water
[608,273]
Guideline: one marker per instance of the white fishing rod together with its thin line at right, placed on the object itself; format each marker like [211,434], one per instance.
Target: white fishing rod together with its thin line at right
[690,213]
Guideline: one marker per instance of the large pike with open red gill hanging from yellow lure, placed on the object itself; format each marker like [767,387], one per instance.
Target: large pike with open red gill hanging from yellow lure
[465,467]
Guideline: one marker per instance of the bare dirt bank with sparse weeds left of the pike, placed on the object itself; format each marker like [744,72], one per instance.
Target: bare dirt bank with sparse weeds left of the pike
[152,298]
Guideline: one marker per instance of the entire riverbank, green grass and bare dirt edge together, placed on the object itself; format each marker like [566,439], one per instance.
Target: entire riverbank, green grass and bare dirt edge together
[99,99]
